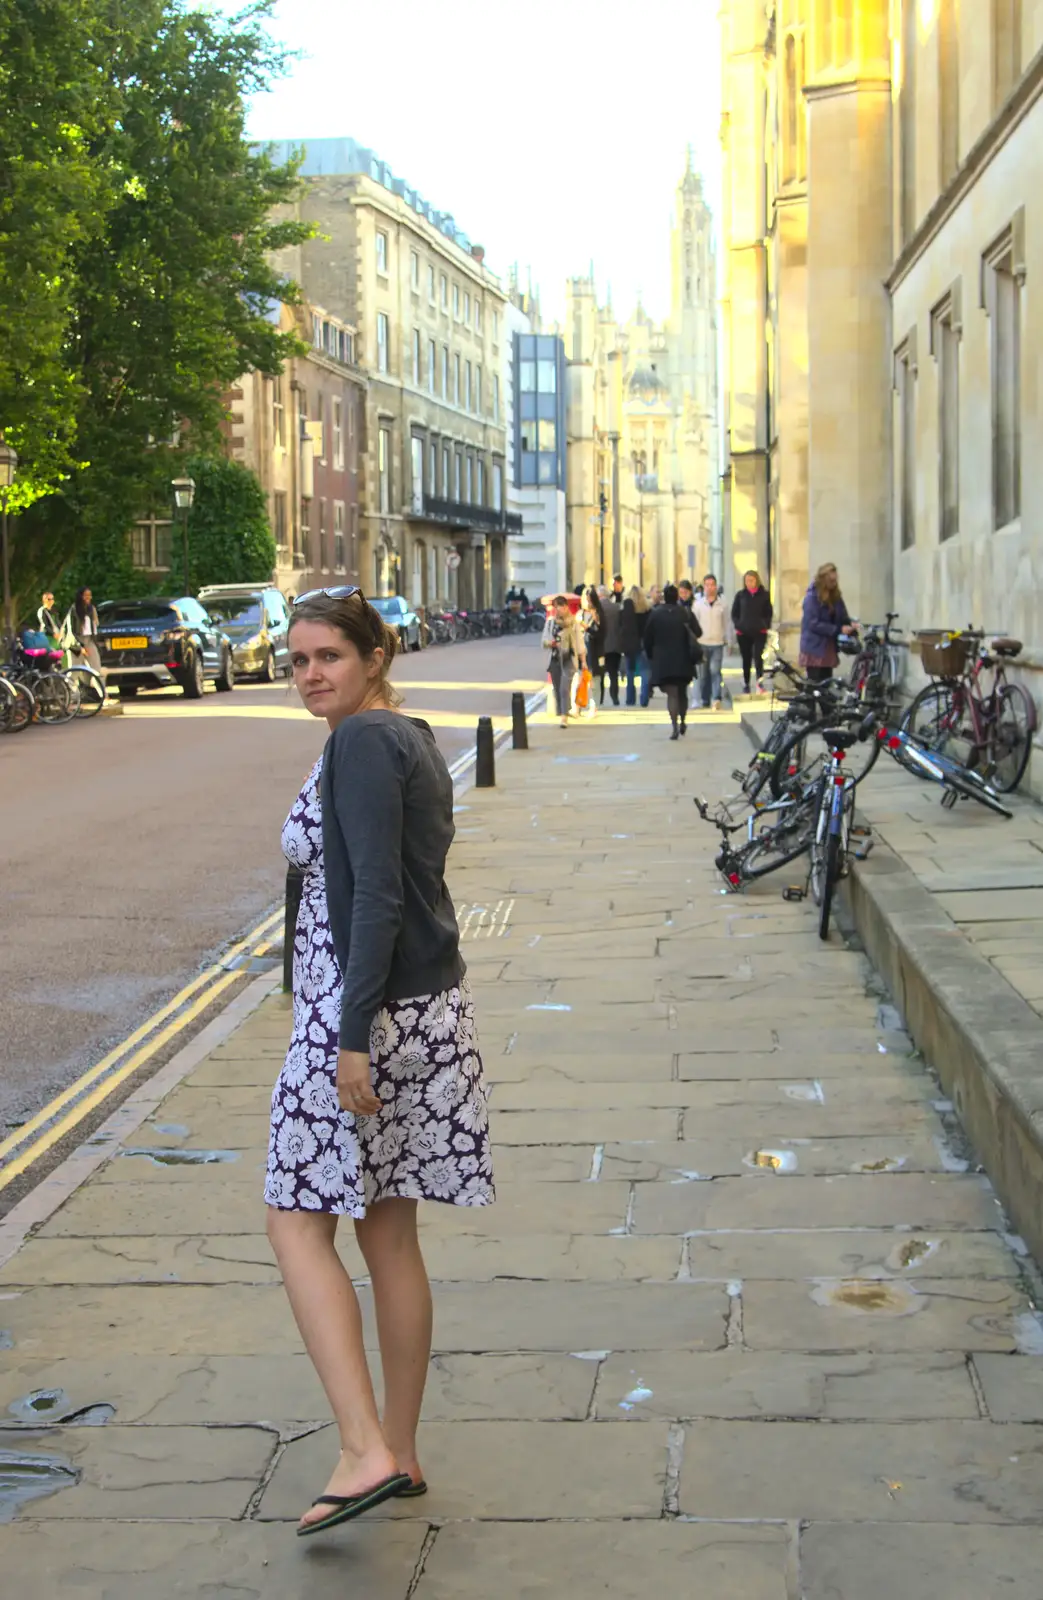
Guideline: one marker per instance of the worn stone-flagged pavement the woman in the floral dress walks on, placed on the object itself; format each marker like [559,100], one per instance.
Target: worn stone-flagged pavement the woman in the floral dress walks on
[746,1322]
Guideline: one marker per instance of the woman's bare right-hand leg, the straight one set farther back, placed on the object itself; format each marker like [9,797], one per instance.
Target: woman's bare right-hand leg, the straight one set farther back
[404,1321]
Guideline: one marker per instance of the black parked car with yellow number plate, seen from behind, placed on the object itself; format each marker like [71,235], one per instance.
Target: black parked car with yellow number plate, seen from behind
[158,642]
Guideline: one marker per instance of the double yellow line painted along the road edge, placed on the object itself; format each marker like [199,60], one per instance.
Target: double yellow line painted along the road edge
[103,1079]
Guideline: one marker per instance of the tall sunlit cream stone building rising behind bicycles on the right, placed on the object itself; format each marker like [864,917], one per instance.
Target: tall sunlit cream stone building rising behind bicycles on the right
[882,335]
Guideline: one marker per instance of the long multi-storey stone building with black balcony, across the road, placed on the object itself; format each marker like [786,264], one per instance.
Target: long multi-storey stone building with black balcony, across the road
[428,321]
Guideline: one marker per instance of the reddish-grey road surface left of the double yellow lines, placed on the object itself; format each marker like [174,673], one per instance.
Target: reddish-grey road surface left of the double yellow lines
[140,847]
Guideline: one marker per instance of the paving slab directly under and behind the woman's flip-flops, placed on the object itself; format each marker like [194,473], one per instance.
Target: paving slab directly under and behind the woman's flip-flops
[519,1471]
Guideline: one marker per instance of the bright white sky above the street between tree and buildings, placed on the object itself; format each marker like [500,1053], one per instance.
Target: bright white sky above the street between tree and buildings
[554,132]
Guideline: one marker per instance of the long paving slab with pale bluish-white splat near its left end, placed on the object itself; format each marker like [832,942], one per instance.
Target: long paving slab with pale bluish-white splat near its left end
[781,1385]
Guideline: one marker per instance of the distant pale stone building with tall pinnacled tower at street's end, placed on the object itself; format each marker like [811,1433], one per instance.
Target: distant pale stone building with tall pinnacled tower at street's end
[642,481]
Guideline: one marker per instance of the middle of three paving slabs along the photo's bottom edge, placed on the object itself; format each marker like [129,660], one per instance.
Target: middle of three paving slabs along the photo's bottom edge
[478,1561]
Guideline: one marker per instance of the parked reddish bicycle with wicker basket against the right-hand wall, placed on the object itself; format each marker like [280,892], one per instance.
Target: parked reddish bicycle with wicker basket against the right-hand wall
[986,729]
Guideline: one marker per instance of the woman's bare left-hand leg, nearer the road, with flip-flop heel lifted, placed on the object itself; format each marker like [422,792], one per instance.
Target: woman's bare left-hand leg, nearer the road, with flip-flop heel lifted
[326,1308]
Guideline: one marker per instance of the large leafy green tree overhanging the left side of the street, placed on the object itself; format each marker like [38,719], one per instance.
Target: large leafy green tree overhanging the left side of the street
[142,279]
